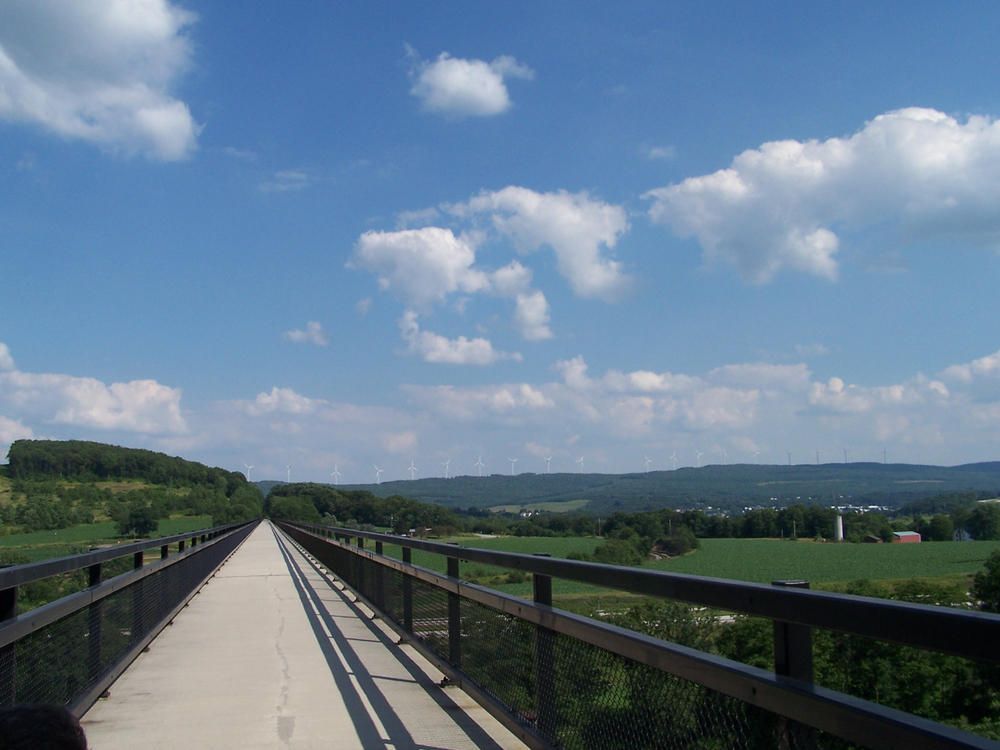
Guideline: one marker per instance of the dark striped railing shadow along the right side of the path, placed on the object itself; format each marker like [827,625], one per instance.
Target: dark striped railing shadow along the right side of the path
[376,722]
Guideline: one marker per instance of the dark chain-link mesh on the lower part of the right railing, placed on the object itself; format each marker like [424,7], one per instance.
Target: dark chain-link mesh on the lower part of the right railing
[570,693]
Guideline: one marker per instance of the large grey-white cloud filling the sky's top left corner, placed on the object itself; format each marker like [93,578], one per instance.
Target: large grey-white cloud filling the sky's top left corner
[100,71]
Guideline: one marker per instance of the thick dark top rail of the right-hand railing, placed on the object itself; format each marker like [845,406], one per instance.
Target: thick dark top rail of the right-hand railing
[969,634]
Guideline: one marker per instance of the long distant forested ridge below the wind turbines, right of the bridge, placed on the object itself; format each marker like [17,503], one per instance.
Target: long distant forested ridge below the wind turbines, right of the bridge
[725,487]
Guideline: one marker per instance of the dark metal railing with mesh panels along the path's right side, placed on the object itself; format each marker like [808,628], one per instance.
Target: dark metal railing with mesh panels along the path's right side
[558,679]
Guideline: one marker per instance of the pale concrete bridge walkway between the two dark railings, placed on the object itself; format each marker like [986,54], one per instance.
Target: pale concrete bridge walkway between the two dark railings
[271,654]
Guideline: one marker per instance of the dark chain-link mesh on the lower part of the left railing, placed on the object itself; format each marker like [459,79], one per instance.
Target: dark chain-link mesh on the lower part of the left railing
[61,661]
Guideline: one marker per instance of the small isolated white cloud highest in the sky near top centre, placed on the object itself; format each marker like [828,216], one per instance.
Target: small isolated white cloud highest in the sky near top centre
[456,87]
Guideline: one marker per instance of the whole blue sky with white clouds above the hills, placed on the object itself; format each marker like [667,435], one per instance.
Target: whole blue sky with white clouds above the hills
[341,236]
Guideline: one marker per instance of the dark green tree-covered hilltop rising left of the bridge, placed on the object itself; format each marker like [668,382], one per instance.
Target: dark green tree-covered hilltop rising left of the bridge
[82,461]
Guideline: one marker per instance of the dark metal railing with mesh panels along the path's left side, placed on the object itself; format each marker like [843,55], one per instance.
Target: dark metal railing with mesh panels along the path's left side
[69,651]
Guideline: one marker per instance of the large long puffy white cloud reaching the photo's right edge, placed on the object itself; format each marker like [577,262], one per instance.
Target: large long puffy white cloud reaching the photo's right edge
[783,205]
